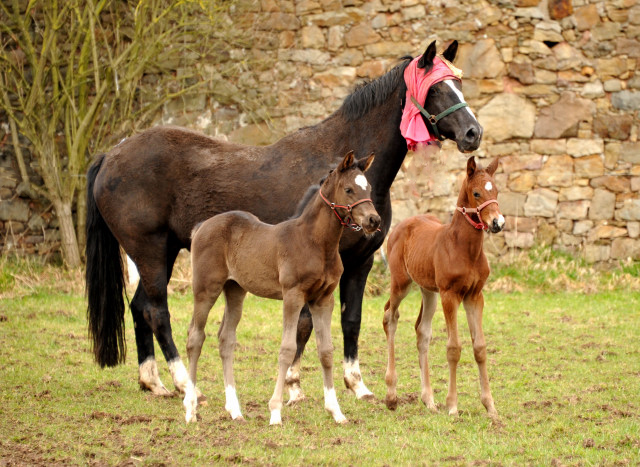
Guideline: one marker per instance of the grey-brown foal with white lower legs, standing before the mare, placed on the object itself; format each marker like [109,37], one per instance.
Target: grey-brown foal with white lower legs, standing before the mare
[296,261]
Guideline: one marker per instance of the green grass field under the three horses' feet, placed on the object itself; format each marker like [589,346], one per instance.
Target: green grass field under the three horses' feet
[564,364]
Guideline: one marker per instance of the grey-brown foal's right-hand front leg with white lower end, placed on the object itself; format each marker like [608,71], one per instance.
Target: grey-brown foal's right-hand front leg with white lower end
[321,314]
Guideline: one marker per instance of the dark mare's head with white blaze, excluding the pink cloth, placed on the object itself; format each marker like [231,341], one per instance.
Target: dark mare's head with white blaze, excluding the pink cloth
[460,125]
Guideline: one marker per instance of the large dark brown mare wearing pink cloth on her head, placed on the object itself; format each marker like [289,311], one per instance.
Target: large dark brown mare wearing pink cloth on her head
[149,191]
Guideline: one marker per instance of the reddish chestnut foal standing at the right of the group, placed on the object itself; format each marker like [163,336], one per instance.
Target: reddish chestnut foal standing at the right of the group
[446,259]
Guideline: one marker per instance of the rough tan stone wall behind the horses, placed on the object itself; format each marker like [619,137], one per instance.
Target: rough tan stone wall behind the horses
[553,82]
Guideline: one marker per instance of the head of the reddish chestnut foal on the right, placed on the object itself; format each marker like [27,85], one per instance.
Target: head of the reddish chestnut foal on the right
[482,195]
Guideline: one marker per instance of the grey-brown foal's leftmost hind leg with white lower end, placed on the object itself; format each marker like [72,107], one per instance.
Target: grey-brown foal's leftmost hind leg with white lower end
[203,299]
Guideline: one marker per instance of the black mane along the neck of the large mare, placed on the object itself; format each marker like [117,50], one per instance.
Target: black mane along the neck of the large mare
[370,94]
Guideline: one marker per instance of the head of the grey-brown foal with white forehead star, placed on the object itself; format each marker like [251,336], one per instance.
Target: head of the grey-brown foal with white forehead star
[348,192]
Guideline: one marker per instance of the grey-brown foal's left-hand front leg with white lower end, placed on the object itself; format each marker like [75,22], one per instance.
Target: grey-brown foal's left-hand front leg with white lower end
[293,300]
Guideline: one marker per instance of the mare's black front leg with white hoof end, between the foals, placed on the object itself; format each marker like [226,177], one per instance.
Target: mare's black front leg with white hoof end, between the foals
[352,285]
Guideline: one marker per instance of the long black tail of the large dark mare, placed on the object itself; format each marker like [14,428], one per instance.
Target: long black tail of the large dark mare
[104,283]
